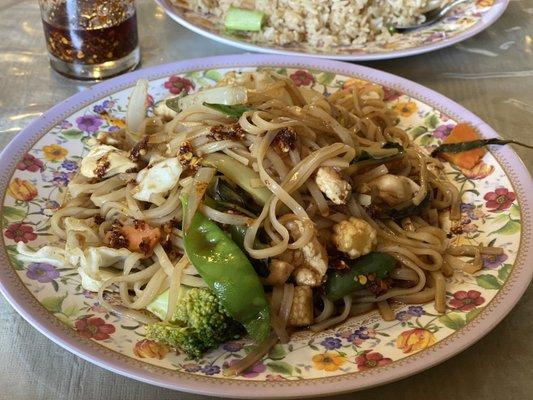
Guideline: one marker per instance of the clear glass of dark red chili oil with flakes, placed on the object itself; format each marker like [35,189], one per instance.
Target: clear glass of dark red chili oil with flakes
[91,39]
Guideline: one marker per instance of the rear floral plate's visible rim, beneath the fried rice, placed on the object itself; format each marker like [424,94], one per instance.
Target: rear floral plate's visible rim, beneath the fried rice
[463,22]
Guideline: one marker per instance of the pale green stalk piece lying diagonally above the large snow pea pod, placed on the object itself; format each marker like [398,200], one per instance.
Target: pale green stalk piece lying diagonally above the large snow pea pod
[240,174]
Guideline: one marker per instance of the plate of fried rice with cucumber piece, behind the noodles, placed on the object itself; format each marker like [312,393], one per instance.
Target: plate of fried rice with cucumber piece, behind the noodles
[353,30]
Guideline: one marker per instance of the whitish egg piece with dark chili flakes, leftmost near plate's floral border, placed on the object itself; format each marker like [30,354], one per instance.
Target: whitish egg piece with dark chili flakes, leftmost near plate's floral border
[104,161]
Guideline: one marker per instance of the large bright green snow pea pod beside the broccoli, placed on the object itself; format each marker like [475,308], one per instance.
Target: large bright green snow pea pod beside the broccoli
[228,272]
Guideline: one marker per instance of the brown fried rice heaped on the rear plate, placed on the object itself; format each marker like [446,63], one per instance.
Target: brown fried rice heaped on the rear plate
[324,24]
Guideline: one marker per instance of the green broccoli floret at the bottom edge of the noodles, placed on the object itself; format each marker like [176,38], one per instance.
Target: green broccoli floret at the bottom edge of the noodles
[199,324]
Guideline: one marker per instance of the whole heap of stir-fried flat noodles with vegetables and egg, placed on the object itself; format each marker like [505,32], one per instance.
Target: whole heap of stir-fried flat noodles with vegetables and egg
[258,208]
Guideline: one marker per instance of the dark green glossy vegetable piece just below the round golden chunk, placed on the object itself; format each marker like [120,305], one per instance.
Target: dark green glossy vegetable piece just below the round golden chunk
[343,282]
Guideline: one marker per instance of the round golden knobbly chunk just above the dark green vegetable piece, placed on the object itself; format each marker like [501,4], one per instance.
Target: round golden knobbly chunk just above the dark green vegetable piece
[355,237]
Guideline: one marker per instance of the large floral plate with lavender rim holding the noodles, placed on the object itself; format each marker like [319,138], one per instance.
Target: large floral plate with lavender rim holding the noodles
[365,351]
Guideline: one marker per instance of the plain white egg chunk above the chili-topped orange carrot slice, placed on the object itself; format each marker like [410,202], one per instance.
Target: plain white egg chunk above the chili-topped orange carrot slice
[157,179]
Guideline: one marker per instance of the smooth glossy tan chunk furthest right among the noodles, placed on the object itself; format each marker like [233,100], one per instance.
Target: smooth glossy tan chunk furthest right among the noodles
[393,189]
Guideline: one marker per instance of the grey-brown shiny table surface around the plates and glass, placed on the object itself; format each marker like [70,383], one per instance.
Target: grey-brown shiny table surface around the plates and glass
[490,74]
